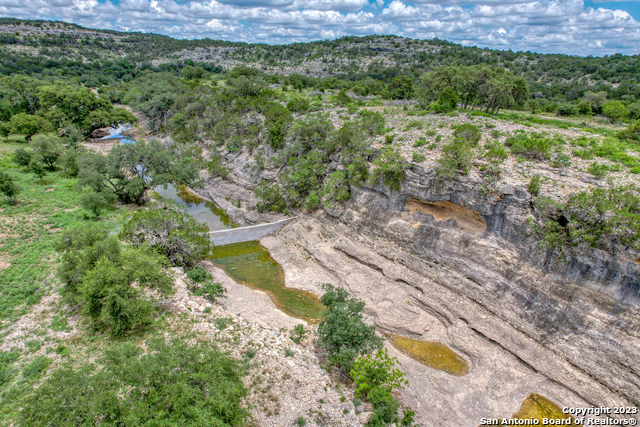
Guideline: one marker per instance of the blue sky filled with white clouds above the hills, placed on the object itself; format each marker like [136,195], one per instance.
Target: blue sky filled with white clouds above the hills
[591,27]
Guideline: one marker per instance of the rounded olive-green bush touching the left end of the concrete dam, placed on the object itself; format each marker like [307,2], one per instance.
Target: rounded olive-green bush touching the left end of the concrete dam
[166,227]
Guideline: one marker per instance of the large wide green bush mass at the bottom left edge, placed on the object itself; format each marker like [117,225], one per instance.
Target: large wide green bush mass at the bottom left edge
[170,383]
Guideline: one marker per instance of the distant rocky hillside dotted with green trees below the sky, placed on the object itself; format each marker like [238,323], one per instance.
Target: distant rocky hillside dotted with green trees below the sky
[98,57]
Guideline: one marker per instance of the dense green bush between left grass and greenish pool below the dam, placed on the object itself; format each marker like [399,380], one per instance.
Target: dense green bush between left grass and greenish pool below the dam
[108,280]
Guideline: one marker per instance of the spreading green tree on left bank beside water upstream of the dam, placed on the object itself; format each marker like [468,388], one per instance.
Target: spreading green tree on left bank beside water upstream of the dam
[131,169]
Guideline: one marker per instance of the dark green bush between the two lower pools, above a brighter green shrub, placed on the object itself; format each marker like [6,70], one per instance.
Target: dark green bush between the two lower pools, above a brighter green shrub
[343,332]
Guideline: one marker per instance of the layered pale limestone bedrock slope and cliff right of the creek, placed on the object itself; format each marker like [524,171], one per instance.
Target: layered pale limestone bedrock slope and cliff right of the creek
[446,263]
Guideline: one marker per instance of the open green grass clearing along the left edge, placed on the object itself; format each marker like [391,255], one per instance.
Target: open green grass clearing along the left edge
[28,230]
